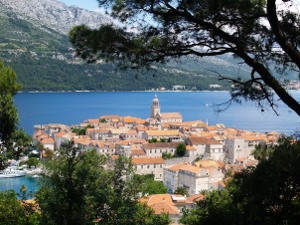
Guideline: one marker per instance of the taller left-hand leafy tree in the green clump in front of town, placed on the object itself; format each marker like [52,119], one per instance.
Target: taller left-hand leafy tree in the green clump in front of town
[64,189]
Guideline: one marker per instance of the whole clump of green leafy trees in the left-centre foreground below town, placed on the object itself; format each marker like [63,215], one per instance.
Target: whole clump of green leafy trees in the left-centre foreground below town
[79,189]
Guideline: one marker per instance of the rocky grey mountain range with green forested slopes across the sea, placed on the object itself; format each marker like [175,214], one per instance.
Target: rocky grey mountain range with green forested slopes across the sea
[34,42]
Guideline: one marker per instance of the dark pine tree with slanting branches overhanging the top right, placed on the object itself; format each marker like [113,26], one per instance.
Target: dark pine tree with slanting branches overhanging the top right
[255,31]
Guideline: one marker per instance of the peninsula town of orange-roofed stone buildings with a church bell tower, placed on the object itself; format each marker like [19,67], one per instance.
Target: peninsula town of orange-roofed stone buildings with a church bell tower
[211,151]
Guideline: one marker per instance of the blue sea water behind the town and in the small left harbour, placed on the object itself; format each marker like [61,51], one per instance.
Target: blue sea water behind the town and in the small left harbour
[72,108]
